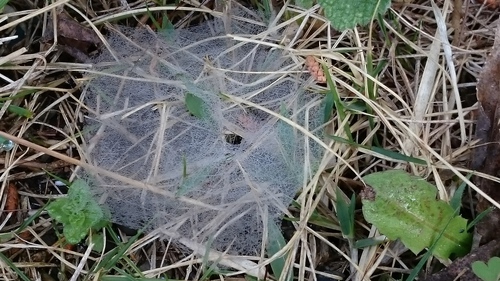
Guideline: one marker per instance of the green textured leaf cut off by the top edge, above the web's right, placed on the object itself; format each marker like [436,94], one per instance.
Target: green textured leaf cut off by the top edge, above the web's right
[347,14]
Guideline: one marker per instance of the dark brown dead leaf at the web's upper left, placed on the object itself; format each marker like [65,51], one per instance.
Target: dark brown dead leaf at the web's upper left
[72,37]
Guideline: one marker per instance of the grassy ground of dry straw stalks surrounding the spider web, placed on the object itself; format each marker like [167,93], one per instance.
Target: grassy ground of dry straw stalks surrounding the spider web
[396,94]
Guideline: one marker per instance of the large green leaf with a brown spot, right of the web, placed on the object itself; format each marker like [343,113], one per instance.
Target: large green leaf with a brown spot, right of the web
[403,206]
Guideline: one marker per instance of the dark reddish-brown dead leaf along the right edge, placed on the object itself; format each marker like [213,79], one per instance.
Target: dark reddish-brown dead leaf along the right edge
[486,157]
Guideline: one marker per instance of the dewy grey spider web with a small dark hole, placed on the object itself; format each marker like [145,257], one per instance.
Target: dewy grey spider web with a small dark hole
[218,178]
